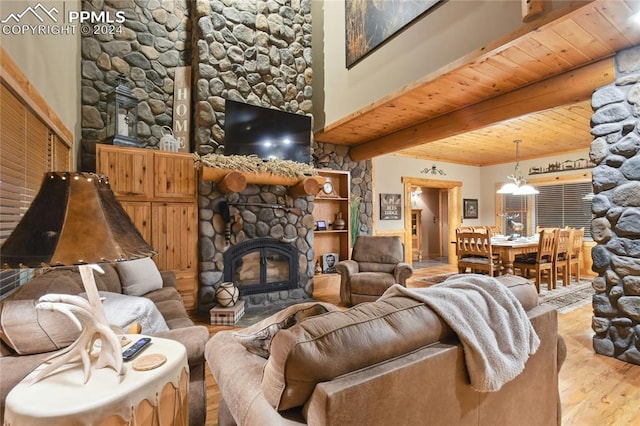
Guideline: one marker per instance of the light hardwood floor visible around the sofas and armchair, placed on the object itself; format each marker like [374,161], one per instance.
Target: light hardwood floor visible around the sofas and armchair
[594,389]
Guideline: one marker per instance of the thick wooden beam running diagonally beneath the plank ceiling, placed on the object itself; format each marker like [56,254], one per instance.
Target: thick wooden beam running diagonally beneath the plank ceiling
[563,89]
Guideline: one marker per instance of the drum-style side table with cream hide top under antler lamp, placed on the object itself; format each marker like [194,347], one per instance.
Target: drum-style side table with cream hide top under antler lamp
[151,397]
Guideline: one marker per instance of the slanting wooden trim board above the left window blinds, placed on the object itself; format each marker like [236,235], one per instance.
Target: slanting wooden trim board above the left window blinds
[12,77]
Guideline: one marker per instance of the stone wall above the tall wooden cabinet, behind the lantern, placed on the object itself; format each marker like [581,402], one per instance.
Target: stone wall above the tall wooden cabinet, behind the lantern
[154,39]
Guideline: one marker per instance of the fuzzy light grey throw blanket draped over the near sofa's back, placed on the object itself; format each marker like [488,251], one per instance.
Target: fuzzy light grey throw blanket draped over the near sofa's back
[494,329]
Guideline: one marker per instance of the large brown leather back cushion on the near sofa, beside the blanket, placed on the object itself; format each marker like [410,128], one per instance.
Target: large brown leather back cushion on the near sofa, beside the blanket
[323,347]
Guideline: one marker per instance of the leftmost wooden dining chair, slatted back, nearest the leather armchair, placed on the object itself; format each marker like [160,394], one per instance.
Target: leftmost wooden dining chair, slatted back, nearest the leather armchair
[476,254]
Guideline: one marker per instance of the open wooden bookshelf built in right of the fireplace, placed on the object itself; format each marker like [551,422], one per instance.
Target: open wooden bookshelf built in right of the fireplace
[326,208]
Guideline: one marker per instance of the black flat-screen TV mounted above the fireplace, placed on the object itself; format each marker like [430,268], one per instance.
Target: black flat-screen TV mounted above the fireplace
[267,133]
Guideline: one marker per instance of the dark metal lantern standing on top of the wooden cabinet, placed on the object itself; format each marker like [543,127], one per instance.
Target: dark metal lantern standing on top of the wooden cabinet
[122,115]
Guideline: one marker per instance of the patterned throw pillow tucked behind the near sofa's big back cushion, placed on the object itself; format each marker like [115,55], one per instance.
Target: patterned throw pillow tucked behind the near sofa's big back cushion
[259,342]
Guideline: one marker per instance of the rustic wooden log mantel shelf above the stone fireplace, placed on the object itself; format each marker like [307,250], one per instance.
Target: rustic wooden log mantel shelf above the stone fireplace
[236,180]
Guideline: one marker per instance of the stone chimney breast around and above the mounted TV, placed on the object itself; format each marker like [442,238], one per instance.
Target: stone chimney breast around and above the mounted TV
[257,52]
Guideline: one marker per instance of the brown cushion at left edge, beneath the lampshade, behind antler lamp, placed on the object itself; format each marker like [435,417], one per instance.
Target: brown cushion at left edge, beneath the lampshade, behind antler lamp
[28,330]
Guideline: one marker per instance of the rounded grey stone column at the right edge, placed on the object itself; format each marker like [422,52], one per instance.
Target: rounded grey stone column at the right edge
[616,206]
